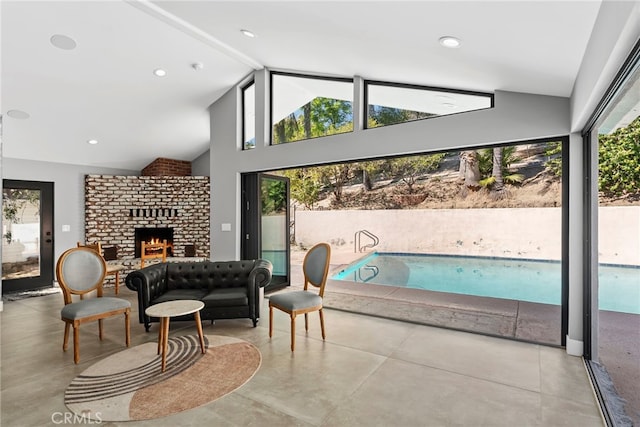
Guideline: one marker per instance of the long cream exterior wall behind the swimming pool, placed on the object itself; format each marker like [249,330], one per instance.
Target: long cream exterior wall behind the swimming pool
[532,233]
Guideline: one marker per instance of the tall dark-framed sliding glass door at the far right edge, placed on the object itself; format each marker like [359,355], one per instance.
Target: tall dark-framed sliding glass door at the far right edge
[612,322]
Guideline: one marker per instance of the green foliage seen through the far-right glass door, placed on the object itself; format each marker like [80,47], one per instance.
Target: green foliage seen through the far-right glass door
[619,161]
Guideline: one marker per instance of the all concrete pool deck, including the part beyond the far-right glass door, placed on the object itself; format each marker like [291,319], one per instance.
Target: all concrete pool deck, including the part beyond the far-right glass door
[619,335]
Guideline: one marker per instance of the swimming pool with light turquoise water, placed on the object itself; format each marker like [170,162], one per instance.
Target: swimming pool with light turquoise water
[523,280]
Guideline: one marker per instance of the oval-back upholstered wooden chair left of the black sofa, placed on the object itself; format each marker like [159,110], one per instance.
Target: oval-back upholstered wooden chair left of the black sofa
[80,272]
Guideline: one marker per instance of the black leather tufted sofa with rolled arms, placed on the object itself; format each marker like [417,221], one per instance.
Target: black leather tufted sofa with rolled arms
[229,289]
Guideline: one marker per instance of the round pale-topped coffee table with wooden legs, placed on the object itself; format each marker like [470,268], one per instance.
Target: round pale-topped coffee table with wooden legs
[165,311]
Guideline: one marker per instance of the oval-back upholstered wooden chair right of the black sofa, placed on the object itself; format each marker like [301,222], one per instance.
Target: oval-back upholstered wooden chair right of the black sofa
[316,269]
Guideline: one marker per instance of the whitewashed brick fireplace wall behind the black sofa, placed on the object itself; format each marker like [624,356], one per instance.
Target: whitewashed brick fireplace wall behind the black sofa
[116,205]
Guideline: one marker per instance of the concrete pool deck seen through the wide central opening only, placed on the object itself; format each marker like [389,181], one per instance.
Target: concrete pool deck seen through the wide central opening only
[492,316]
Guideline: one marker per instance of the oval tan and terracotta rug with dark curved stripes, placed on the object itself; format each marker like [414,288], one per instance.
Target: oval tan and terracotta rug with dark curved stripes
[129,385]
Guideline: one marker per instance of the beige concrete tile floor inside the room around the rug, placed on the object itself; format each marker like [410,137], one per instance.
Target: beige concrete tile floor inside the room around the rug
[369,371]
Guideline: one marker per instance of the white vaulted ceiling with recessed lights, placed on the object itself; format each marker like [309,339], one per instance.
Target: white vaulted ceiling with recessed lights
[100,85]
